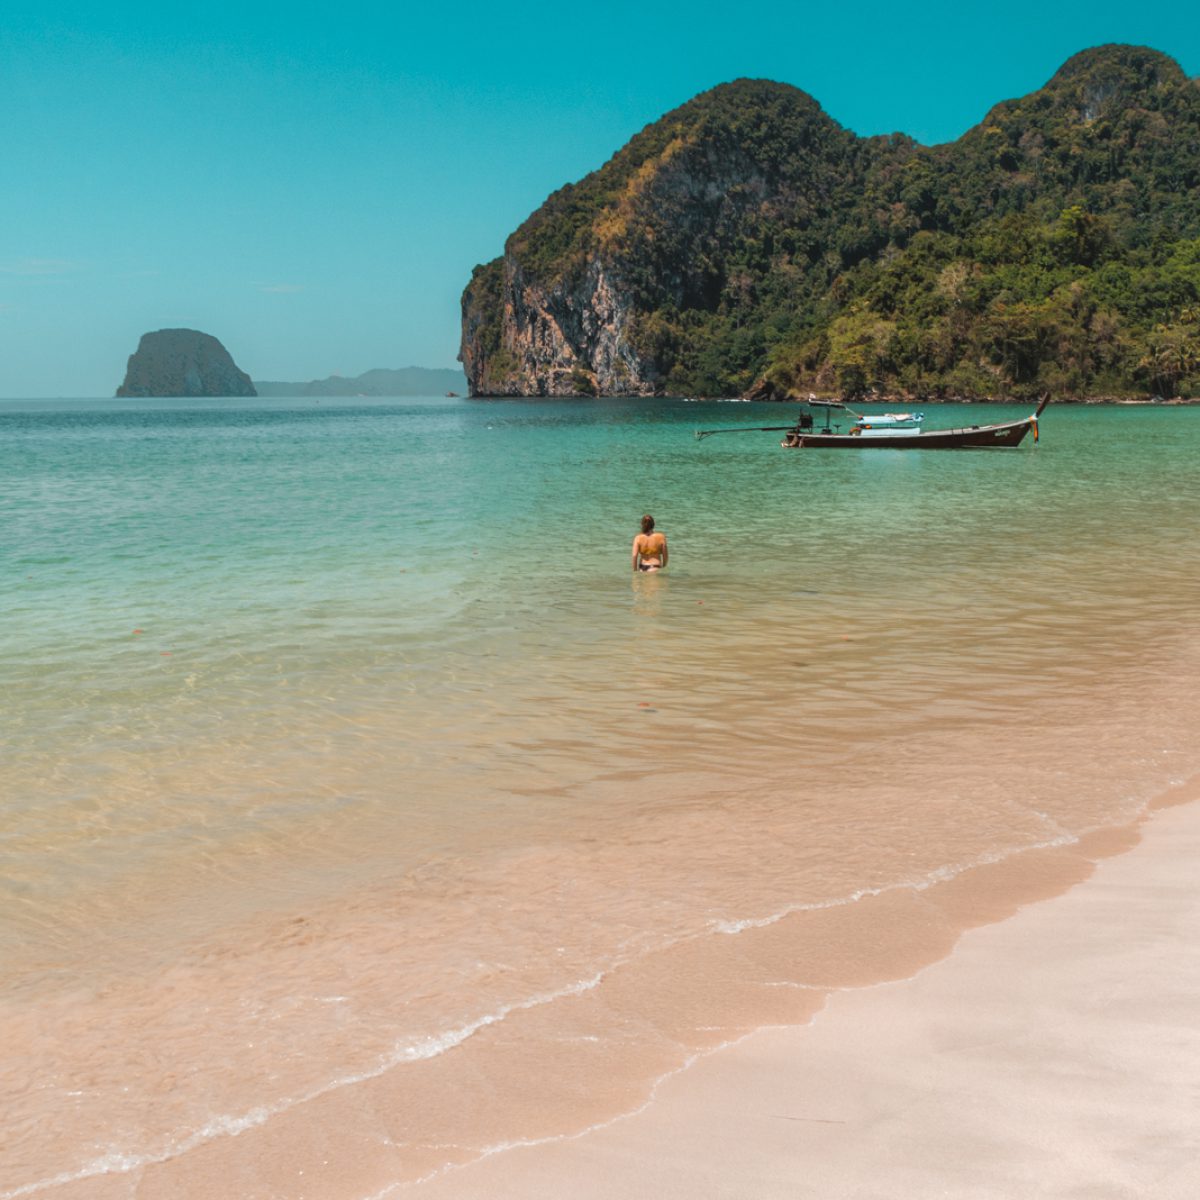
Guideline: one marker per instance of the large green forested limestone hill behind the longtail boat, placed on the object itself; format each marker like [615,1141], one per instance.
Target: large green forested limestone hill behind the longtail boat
[746,243]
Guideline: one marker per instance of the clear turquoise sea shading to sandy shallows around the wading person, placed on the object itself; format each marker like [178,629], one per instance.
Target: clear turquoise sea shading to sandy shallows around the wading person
[363,813]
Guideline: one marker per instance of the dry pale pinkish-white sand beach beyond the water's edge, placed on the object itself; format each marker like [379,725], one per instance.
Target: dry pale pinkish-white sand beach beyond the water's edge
[1054,1054]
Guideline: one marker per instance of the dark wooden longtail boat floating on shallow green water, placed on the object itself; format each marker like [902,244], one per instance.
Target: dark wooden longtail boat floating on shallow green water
[891,431]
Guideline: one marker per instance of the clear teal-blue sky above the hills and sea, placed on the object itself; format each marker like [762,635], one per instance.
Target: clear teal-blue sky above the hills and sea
[313,183]
